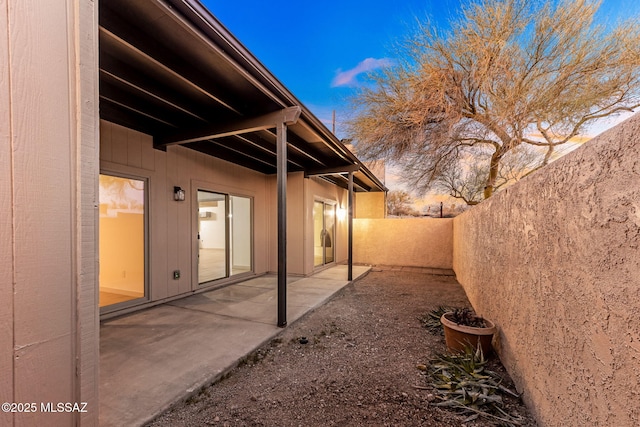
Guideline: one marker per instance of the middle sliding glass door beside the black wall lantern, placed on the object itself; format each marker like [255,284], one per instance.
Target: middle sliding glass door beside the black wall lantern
[224,236]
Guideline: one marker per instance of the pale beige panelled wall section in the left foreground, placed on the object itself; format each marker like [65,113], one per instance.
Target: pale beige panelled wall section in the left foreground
[48,179]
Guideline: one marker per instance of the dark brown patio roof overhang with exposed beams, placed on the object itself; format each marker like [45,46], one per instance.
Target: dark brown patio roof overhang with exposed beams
[170,69]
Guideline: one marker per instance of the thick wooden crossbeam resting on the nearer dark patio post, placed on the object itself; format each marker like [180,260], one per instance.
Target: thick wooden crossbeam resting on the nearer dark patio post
[288,116]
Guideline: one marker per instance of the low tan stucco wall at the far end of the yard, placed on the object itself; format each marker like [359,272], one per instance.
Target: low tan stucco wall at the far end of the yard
[419,242]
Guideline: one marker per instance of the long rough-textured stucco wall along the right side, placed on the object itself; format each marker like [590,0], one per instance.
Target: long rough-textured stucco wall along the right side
[555,262]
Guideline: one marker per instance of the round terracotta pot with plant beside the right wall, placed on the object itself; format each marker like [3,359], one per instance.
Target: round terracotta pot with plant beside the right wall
[463,328]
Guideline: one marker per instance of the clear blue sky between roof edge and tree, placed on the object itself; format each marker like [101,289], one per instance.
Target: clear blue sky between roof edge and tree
[320,49]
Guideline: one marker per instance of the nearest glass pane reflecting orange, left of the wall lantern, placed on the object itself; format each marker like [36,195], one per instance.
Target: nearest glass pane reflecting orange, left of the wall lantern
[122,240]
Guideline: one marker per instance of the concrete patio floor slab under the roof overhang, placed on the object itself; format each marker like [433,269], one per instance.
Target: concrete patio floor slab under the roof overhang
[153,358]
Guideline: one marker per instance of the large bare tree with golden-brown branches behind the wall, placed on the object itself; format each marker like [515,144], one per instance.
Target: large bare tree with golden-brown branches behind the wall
[507,70]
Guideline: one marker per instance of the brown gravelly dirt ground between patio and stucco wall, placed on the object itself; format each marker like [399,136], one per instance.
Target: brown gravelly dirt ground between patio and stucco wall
[358,368]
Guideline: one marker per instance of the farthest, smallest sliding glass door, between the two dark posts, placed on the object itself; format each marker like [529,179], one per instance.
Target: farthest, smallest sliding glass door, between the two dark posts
[324,220]
